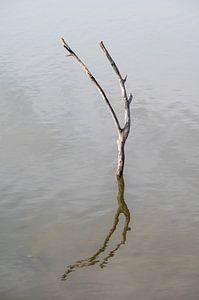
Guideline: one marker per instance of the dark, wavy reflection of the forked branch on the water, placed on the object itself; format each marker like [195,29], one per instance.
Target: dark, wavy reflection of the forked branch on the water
[94,259]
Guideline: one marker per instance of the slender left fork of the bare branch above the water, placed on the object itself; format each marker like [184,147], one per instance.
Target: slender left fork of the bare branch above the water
[92,78]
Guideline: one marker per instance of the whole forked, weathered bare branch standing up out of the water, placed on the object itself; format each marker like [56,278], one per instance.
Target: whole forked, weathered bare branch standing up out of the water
[123,132]
